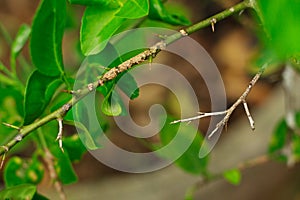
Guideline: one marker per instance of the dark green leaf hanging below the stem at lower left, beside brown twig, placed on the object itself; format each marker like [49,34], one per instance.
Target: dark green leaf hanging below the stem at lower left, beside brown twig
[63,165]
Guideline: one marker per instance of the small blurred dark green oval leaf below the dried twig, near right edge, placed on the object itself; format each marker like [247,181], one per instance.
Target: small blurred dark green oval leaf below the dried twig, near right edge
[279,137]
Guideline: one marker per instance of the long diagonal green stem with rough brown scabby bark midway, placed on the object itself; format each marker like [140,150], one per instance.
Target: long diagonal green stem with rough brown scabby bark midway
[114,72]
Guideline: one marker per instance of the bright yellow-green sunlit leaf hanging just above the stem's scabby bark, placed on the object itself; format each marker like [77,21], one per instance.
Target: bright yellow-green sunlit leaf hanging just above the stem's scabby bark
[97,26]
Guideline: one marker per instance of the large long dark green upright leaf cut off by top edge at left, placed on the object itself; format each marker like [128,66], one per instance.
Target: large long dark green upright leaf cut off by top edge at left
[46,38]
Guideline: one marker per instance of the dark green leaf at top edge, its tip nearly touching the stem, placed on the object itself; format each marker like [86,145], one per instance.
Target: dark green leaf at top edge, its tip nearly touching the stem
[159,12]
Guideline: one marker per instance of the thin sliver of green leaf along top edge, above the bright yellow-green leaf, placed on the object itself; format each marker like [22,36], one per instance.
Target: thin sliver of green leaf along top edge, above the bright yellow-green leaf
[104,3]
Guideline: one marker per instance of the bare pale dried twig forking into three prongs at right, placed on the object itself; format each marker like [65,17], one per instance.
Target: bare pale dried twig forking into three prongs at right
[228,112]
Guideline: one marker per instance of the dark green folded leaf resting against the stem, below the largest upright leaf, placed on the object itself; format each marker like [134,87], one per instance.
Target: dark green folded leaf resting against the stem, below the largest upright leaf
[38,93]
